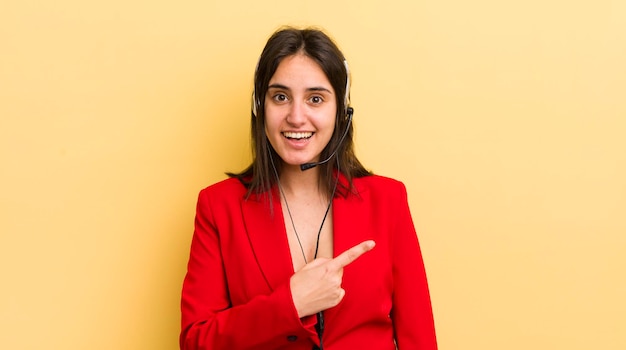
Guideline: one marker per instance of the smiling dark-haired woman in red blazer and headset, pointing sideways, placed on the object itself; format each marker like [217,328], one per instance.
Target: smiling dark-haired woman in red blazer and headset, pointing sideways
[305,249]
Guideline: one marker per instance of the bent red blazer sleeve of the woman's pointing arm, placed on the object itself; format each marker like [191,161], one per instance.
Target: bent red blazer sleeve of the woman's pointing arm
[209,321]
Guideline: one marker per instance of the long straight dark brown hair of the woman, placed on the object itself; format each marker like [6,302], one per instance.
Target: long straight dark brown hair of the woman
[259,177]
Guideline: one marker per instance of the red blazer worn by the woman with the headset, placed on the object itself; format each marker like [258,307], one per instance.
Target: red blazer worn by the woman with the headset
[236,294]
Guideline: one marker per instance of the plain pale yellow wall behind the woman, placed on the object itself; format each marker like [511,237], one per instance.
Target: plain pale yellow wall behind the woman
[505,119]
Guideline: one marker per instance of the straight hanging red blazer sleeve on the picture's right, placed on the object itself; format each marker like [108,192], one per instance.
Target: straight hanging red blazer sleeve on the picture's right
[411,311]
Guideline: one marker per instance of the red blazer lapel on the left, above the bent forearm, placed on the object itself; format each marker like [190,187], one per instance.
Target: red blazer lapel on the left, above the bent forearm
[268,238]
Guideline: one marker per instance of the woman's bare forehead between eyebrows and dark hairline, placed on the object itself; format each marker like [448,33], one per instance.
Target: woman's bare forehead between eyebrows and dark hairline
[300,71]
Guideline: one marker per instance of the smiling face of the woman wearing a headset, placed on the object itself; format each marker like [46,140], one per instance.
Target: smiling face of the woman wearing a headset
[300,110]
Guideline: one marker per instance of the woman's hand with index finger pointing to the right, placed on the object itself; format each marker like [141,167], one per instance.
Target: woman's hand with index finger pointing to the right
[317,286]
